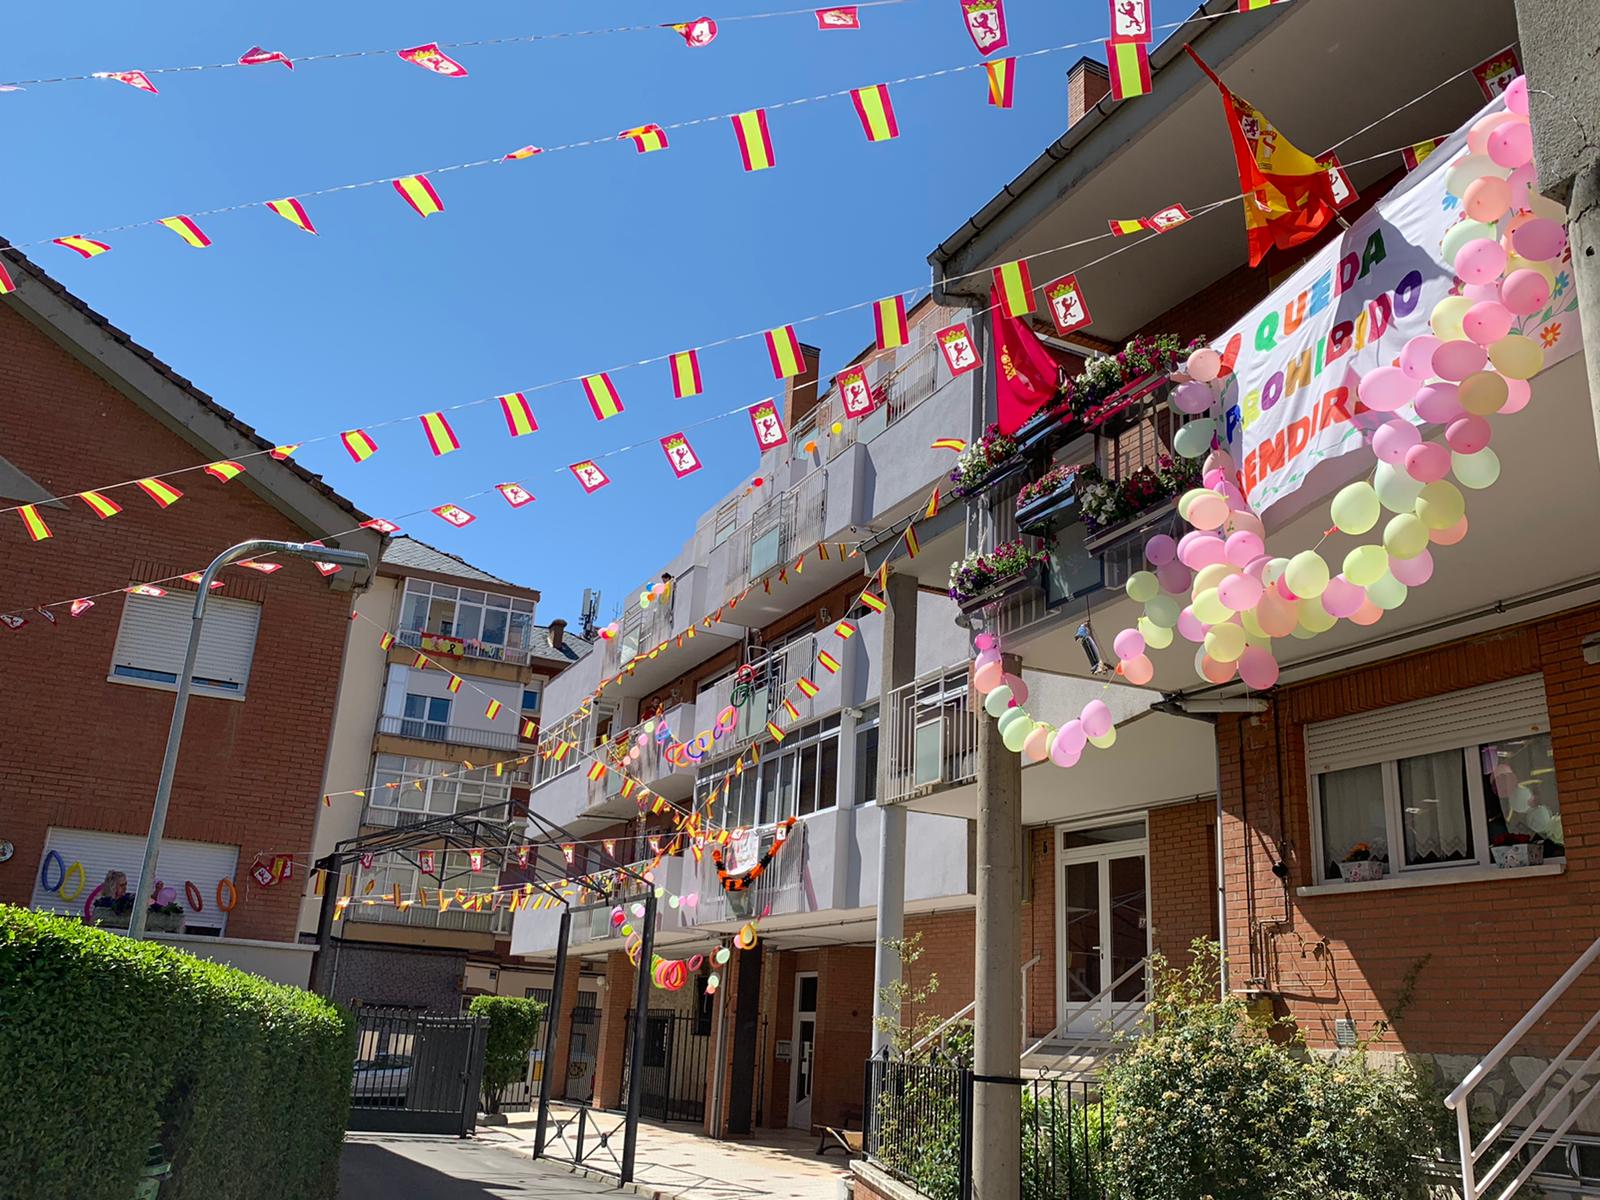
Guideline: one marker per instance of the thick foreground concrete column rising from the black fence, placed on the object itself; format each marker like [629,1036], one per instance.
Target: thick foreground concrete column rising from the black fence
[998,1110]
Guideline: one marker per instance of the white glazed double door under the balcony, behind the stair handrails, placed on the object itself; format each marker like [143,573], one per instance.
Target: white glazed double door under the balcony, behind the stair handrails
[1103,929]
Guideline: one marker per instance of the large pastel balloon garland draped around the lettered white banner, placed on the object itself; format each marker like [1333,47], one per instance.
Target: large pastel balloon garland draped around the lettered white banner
[1222,591]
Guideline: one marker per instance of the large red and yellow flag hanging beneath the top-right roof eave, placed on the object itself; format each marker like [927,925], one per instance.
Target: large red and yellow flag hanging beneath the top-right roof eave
[1290,193]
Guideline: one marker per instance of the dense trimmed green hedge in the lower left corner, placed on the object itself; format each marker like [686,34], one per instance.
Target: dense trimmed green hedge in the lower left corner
[110,1046]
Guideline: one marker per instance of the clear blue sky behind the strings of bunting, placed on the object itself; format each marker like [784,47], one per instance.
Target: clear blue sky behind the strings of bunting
[535,271]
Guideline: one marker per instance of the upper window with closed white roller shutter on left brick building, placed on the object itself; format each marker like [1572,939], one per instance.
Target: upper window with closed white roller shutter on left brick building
[154,638]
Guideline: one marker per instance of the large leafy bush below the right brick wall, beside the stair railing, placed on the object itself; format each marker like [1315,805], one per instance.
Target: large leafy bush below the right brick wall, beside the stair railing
[1212,1103]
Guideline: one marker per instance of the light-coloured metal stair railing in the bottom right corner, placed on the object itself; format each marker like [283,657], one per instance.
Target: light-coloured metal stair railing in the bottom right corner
[1564,1100]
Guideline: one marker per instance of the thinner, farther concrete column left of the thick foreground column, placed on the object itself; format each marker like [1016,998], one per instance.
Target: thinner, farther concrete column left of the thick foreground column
[898,668]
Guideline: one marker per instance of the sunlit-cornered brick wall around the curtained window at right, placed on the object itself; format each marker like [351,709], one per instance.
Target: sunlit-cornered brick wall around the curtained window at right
[1481,953]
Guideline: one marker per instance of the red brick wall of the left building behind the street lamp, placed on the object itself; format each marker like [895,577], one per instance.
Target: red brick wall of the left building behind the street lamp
[84,753]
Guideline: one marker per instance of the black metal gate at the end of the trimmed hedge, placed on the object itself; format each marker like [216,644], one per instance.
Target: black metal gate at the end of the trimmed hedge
[417,1073]
